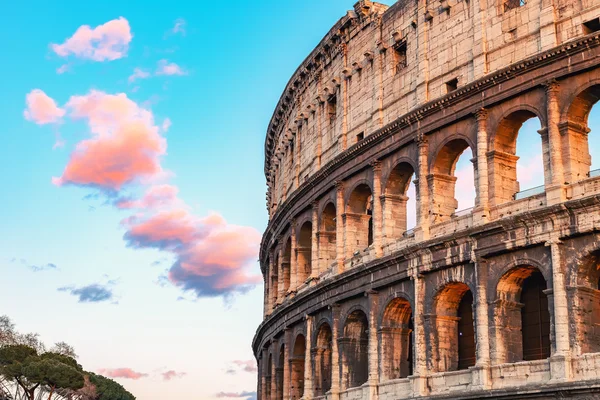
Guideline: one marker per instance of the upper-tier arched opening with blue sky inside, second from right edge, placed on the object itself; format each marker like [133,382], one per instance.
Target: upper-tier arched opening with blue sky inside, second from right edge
[516,164]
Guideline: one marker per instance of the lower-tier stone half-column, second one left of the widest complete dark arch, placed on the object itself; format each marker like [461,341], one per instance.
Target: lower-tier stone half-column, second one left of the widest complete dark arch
[419,378]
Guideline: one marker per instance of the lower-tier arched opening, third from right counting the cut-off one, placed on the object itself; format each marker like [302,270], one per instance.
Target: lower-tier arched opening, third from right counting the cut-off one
[454,333]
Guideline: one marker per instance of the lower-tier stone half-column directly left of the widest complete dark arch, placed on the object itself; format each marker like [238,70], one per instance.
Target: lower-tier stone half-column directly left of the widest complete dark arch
[481,372]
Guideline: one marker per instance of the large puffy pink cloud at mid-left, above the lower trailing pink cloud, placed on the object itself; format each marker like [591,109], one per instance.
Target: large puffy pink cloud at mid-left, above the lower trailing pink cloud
[125,146]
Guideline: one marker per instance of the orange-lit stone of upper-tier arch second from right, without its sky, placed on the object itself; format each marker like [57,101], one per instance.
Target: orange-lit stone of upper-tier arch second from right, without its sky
[502,157]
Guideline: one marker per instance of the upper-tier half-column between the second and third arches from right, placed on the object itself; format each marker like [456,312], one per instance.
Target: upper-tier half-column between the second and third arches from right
[482,210]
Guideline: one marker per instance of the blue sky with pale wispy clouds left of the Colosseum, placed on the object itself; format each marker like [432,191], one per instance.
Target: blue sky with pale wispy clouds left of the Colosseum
[74,267]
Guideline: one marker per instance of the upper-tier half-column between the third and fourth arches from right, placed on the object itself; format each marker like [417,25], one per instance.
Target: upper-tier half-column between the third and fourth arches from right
[422,229]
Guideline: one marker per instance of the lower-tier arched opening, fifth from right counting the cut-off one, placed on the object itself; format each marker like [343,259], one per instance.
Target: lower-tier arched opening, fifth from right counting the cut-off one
[354,349]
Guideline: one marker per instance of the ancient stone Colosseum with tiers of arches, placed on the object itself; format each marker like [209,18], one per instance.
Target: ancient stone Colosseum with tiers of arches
[368,297]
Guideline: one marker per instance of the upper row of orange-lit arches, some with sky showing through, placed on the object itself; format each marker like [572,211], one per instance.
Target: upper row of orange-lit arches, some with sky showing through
[399,212]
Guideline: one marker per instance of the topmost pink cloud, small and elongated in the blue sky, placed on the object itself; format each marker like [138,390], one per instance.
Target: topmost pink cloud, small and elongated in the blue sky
[106,42]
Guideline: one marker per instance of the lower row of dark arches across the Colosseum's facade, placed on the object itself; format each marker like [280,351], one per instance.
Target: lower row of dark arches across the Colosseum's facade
[521,331]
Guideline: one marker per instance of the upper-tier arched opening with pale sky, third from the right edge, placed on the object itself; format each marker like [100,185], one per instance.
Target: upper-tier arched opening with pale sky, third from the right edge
[452,181]
